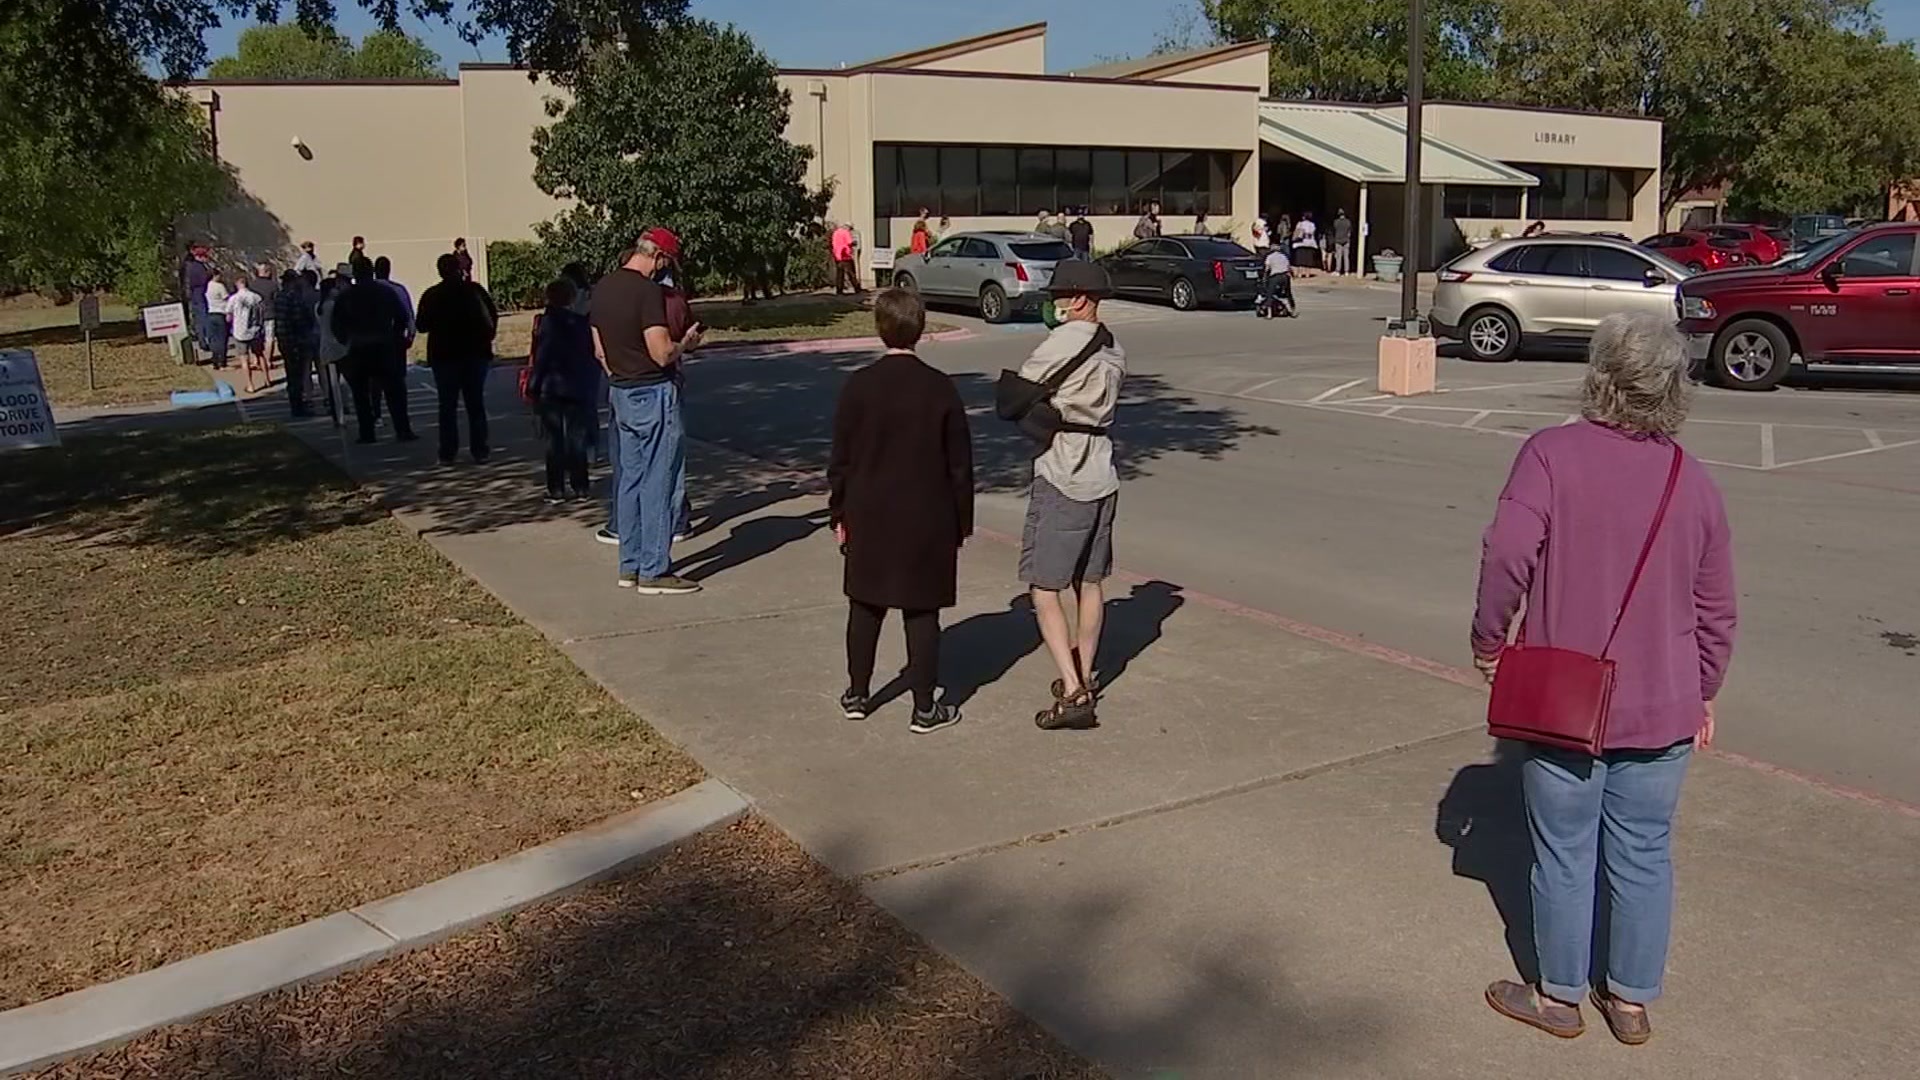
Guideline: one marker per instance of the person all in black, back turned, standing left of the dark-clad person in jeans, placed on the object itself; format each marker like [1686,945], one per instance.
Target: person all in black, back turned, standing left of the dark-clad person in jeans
[460,320]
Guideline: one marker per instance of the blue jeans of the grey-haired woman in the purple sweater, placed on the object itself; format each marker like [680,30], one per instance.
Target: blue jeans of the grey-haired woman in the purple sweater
[1618,808]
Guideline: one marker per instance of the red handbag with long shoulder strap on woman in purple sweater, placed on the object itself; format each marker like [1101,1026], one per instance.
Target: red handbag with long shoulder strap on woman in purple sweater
[1560,699]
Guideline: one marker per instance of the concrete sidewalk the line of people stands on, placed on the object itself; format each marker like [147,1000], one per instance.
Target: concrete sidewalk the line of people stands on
[1278,858]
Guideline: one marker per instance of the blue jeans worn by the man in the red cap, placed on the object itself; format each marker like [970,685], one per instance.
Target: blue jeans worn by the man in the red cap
[652,454]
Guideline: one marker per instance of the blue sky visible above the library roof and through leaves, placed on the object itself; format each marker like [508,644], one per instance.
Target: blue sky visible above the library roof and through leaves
[825,34]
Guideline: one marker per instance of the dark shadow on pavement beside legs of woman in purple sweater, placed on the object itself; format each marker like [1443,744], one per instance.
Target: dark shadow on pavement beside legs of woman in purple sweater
[1483,820]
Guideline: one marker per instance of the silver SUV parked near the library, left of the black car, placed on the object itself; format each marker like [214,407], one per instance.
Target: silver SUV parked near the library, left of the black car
[1003,274]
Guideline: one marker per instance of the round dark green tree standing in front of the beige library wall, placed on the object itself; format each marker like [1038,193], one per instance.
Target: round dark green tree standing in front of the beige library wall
[692,139]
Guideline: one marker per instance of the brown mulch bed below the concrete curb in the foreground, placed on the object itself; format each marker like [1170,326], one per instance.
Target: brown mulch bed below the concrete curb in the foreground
[732,958]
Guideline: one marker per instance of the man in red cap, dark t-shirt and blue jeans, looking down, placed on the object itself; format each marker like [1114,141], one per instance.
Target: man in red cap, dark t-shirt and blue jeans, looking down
[640,355]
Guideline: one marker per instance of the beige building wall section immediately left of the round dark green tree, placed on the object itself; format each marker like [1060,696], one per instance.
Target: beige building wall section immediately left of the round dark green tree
[500,112]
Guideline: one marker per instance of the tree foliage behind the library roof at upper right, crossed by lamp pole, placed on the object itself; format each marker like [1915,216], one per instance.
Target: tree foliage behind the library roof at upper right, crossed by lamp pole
[1794,105]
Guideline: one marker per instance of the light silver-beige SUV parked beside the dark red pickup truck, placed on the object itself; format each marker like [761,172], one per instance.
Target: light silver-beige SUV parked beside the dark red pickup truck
[1548,291]
